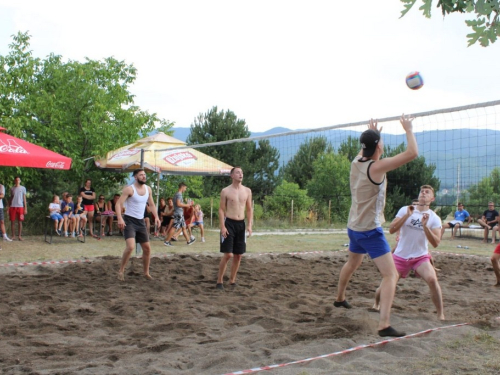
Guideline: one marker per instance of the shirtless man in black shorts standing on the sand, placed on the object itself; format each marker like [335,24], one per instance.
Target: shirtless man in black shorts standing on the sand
[234,201]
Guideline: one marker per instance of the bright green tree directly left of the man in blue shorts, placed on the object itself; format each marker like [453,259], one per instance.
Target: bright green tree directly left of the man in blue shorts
[330,181]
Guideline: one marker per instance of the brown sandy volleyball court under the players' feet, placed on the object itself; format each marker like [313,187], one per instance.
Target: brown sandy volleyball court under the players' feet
[79,319]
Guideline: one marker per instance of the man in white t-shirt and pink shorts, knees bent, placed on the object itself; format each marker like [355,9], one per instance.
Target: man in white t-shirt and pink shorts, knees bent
[418,226]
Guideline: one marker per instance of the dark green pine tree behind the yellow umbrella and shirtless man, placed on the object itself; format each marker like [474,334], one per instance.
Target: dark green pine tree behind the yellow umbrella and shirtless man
[259,161]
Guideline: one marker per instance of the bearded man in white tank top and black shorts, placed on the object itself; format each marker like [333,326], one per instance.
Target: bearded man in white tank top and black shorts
[132,222]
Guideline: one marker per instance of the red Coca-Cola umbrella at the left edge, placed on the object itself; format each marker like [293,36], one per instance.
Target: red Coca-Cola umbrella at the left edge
[16,152]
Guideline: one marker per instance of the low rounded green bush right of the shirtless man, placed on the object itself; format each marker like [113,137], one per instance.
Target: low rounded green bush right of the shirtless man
[280,203]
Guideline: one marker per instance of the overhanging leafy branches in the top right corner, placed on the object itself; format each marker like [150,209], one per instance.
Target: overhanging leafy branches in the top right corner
[486,26]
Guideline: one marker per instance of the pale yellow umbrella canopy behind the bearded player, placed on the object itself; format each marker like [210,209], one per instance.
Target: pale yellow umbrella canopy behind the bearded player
[152,153]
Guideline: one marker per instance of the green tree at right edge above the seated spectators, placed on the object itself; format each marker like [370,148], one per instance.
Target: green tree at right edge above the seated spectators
[488,189]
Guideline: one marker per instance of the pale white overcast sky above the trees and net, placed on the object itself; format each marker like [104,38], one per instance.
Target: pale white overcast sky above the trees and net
[296,64]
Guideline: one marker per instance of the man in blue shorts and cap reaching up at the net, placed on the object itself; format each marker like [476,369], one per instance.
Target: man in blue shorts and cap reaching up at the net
[366,216]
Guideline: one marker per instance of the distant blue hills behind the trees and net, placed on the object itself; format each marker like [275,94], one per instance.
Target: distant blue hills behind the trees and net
[472,153]
